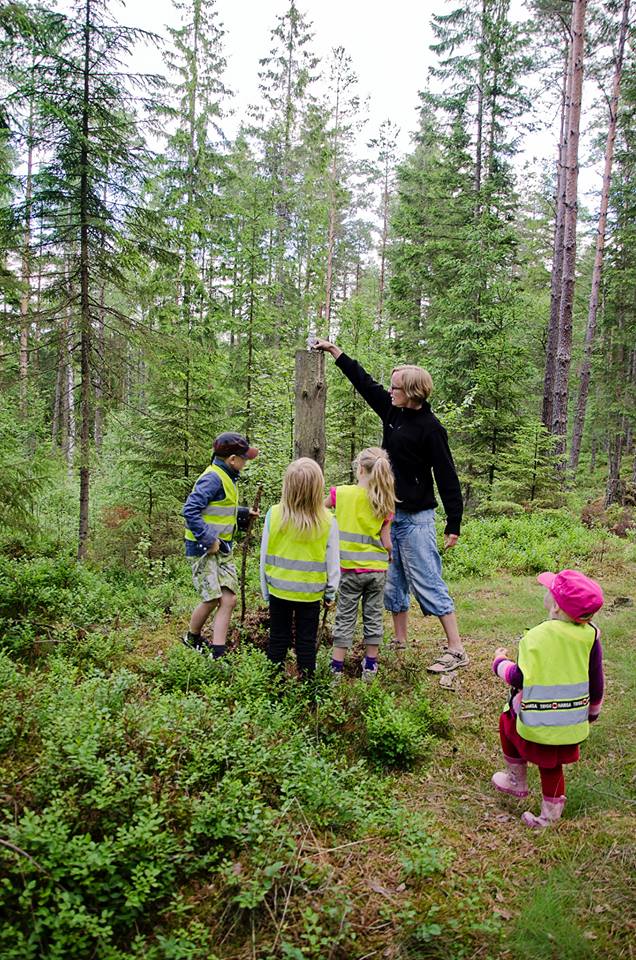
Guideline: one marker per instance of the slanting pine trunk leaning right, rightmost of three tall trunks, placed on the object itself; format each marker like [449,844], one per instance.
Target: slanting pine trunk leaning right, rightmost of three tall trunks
[579,419]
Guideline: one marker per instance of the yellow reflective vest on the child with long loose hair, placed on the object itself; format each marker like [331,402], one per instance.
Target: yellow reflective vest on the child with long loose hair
[296,565]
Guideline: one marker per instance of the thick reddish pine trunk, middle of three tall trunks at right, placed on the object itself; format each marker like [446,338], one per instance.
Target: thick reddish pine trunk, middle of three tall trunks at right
[564,351]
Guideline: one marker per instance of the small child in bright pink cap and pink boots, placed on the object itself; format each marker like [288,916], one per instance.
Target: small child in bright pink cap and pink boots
[556,692]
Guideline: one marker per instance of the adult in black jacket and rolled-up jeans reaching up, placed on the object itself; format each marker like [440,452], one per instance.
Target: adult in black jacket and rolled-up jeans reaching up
[417,445]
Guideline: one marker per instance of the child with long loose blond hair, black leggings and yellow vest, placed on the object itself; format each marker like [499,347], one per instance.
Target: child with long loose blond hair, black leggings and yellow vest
[299,564]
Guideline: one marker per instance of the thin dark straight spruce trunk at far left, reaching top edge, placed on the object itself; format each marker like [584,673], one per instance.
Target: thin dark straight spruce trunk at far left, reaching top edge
[85,308]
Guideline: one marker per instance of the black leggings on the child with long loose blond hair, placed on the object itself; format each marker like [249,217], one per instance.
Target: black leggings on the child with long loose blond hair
[305,617]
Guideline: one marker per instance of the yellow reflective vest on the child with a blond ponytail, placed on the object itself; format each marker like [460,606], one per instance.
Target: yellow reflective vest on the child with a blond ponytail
[359,527]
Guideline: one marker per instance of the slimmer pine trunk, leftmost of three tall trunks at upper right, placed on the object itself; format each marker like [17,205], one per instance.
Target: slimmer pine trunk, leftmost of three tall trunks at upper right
[557,255]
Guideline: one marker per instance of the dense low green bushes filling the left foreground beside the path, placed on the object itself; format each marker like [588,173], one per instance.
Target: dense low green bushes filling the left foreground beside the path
[151,812]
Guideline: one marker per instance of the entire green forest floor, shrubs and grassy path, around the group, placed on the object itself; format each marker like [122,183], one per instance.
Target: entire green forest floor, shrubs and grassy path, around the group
[159,805]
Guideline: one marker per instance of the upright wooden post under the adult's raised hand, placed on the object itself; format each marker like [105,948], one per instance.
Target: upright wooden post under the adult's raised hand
[311,400]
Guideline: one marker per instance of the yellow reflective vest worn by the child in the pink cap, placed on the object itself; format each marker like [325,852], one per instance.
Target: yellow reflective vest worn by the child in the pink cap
[555,712]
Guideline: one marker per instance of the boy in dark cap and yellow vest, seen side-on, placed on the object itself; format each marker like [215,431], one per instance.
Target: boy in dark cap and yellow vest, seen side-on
[211,515]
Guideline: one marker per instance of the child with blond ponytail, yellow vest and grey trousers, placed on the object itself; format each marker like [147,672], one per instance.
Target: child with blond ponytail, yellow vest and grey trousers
[364,512]
